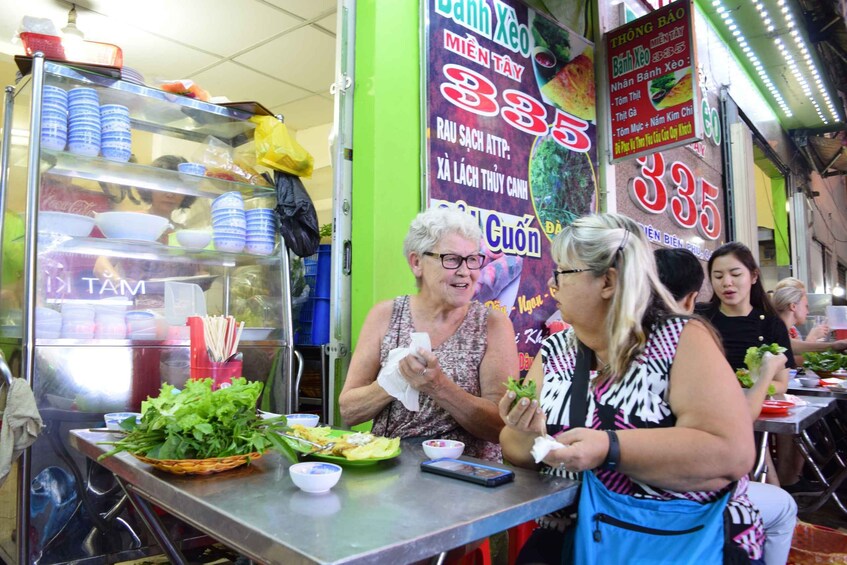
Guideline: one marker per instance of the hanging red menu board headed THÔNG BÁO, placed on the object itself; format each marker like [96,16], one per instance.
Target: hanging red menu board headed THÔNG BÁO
[653,82]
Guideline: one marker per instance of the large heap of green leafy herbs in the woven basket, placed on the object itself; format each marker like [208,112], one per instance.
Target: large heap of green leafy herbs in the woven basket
[199,423]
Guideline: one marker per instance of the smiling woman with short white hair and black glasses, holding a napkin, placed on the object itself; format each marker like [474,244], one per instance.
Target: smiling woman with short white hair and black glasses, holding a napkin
[473,348]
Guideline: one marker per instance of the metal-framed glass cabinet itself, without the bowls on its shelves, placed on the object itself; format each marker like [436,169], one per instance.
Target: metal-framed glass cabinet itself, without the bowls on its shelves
[68,510]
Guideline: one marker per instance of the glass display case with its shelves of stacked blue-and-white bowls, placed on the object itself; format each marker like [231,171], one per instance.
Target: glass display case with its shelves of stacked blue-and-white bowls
[106,251]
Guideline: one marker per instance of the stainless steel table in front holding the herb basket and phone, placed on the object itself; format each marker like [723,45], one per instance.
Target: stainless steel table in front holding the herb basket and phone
[390,512]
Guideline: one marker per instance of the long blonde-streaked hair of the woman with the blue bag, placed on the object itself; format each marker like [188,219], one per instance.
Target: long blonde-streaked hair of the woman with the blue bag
[601,242]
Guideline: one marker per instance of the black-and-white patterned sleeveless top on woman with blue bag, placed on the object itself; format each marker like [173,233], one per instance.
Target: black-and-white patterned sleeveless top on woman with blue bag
[639,400]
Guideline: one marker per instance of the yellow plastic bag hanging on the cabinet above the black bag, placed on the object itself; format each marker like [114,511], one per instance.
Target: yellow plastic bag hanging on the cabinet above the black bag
[275,148]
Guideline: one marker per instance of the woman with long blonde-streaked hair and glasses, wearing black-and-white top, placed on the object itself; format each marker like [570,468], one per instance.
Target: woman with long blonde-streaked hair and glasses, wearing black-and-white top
[662,415]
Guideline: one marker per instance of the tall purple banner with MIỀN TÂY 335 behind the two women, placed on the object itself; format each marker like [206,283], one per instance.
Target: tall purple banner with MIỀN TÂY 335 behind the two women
[511,139]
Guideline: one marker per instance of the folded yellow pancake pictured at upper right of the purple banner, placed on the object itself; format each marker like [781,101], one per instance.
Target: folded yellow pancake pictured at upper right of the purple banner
[572,89]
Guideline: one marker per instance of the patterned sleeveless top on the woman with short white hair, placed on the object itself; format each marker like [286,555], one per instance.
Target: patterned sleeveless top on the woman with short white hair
[460,357]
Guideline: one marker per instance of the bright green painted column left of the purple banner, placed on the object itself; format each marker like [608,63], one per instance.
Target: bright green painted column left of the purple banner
[386,151]
